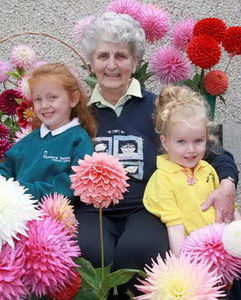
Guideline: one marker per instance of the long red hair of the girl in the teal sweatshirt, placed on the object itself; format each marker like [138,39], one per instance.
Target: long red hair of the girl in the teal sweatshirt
[62,75]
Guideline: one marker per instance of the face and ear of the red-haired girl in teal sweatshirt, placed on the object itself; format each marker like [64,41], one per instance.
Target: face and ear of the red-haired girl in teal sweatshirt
[52,104]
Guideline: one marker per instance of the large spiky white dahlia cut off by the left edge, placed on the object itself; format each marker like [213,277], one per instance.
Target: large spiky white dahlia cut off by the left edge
[17,208]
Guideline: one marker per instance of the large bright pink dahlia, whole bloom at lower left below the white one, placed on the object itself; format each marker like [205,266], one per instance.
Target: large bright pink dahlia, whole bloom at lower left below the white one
[49,250]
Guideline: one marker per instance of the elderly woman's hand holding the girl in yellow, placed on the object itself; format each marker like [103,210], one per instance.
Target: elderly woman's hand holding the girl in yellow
[223,200]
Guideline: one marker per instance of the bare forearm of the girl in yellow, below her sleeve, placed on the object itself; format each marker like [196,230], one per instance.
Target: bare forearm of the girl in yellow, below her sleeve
[176,235]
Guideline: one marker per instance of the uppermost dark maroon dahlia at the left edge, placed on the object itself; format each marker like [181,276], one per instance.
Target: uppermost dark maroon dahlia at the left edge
[8,103]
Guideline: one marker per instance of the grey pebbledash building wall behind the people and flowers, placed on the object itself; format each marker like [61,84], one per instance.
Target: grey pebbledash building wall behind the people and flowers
[58,18]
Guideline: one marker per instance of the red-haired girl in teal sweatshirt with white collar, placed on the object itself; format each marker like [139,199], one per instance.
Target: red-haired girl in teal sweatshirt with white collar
[42,160]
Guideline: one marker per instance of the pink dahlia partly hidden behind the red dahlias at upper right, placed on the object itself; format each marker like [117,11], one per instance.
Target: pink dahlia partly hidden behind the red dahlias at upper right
[182,33]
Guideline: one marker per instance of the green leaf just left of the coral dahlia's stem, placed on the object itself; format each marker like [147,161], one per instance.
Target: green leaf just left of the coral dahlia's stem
[88,274]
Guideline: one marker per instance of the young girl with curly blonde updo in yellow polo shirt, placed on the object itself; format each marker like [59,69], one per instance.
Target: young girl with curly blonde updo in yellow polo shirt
[182,181]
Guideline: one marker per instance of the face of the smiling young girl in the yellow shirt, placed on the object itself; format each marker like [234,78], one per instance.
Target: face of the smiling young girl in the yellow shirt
[185,143]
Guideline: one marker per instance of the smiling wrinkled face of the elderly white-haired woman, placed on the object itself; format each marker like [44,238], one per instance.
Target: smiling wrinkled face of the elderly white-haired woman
[113,64]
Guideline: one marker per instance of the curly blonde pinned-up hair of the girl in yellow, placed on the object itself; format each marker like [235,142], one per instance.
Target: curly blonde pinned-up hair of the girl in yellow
[180,103]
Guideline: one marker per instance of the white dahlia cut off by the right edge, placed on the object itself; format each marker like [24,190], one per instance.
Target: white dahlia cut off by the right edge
[232,238]
